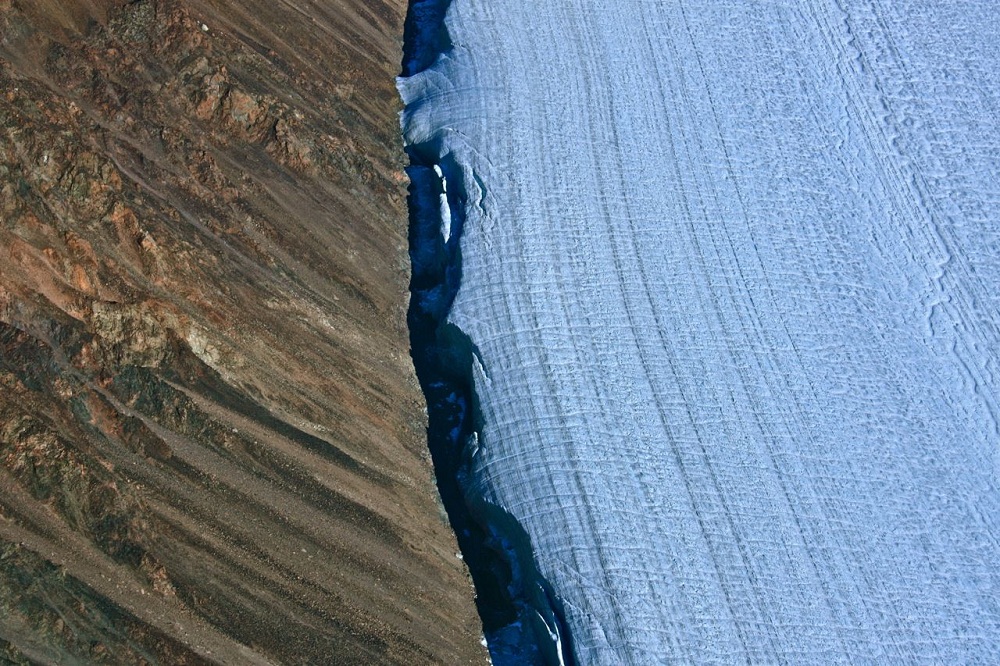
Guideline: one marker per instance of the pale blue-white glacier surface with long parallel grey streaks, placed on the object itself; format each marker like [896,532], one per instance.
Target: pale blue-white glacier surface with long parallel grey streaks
[732,271]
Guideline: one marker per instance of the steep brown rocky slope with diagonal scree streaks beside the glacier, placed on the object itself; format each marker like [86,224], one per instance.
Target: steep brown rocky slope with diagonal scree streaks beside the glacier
[211,439]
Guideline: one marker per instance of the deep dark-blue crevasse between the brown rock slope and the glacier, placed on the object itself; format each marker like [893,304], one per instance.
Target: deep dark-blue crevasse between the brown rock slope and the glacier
[523,620]
